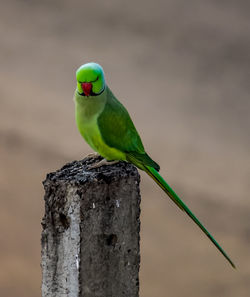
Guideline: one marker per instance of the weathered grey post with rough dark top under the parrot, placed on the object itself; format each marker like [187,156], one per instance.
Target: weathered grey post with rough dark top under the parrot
[90,237]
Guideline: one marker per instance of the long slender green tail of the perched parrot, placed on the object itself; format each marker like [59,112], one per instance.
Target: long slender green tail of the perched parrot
[172,195]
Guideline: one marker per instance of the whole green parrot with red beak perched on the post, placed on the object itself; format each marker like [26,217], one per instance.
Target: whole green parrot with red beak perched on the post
[107,127]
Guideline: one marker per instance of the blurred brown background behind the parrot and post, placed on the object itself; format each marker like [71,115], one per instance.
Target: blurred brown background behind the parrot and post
[182,70]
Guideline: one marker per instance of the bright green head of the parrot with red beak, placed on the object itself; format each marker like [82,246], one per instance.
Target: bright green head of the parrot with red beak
[90,79]
